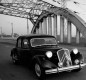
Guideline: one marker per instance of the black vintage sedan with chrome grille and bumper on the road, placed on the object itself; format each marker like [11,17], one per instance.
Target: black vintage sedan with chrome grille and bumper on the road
[45,56]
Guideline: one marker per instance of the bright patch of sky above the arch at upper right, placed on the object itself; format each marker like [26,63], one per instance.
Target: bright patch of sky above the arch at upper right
[79,7]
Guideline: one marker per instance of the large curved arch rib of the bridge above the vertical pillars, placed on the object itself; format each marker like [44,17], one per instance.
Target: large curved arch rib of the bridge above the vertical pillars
[68,14]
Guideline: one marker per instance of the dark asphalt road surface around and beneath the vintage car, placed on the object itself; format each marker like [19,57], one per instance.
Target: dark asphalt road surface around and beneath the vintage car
[9,71]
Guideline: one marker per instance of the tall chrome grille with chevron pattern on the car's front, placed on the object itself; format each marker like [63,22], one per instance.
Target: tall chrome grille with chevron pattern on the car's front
[64,57]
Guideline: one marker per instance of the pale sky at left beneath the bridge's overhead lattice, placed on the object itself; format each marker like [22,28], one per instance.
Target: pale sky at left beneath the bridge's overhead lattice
[19,24]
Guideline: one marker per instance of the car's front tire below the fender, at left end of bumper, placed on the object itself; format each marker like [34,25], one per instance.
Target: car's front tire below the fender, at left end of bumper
[39,71]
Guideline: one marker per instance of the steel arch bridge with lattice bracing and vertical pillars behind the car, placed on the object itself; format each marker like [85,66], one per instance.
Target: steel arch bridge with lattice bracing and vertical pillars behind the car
[43,14]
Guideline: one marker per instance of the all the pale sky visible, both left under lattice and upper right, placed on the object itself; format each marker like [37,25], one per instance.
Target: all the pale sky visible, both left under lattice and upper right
[20,24]
